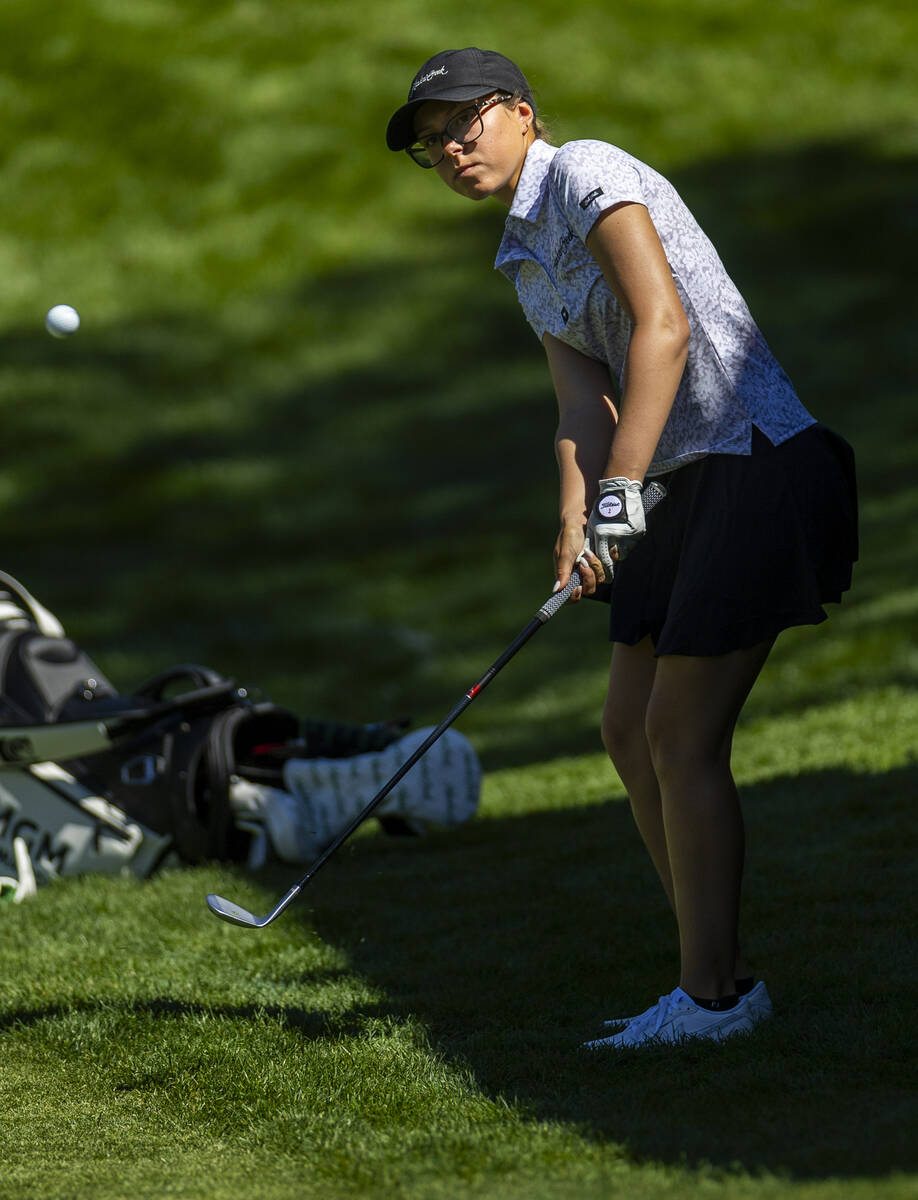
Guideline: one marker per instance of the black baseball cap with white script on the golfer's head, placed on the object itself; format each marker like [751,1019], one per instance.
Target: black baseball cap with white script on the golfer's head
[455,75]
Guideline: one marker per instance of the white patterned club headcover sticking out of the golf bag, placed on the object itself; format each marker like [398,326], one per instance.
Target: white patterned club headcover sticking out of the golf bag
[319,797]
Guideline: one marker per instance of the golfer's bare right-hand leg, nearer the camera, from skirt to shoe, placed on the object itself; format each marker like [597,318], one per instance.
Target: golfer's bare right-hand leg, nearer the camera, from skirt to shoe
[691,721]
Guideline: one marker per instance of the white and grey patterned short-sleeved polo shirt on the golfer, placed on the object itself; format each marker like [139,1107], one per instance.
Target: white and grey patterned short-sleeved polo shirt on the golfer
[731,381]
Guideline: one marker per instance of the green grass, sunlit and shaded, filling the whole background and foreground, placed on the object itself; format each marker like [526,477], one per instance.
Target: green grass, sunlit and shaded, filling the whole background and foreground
[244,459]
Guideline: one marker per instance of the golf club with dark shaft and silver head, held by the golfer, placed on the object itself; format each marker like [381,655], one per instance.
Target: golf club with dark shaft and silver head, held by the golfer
[238,916]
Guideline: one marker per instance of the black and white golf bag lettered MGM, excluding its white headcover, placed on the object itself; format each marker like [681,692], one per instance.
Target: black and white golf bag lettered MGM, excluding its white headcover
[94,781]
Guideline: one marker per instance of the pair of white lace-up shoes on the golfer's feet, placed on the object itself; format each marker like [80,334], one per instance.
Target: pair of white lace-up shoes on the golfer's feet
[677,1018]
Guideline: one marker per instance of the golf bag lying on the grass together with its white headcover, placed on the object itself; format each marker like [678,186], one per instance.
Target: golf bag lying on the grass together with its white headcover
[184,770]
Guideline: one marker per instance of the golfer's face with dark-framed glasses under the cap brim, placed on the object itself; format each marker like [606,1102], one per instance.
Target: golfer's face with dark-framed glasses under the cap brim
[493,164]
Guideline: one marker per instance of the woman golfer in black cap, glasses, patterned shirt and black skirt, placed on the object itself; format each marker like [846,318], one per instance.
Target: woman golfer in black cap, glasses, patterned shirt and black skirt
[661,374]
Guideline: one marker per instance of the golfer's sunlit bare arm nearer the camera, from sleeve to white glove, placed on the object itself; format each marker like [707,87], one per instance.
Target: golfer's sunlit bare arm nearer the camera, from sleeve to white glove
[628,250]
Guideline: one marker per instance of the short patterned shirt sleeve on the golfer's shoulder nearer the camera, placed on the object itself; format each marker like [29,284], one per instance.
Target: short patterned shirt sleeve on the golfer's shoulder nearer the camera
[587,178]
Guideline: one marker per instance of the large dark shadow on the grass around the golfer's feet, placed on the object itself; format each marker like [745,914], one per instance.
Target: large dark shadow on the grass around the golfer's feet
[514,939]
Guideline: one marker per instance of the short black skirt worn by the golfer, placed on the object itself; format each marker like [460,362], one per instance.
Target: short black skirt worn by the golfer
[742,548]
